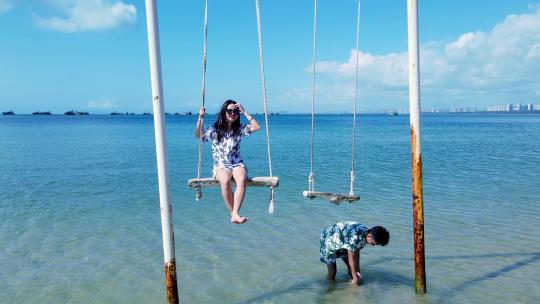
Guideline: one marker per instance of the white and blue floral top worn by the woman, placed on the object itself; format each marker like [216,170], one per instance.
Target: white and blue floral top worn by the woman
[226,153]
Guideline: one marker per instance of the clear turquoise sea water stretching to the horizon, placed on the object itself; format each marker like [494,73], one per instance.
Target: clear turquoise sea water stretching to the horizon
[80,221]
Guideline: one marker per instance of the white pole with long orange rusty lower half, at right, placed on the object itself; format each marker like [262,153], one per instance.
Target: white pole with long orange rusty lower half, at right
[416,148]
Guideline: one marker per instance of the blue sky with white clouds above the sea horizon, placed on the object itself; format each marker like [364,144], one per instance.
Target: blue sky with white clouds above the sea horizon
[92,55]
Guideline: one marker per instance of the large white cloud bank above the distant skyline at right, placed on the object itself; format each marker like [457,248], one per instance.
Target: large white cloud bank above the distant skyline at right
[481,68]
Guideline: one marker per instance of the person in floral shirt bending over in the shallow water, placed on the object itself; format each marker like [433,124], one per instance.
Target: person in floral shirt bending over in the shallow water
[344,240]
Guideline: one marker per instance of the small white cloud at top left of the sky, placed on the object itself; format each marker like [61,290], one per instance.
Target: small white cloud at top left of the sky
[88,15]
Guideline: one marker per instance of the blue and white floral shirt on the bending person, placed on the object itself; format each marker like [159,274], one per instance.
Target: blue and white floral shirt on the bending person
[341,237]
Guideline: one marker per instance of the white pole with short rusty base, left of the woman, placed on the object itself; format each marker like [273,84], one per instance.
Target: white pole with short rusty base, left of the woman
[161,152]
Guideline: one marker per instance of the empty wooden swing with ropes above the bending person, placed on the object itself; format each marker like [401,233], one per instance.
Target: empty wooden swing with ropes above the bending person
[334,198]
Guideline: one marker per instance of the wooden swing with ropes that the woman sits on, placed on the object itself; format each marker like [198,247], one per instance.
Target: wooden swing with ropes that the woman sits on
[263,181]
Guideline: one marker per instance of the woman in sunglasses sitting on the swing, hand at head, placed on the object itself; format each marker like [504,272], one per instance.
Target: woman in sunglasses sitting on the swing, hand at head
[226,134]
